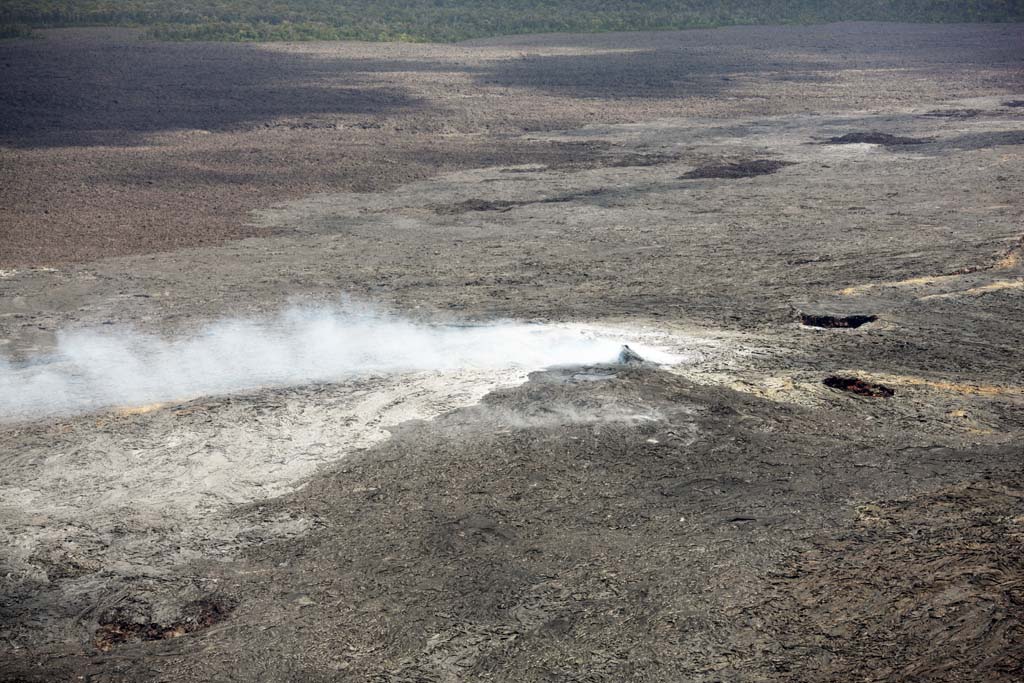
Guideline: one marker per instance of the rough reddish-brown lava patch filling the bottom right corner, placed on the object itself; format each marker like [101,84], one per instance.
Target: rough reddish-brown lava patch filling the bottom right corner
[929,589]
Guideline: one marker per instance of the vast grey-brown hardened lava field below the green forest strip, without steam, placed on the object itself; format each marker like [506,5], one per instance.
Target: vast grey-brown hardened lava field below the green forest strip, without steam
[821,227]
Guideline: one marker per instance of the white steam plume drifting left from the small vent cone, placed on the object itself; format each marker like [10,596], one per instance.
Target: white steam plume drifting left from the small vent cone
[94,369]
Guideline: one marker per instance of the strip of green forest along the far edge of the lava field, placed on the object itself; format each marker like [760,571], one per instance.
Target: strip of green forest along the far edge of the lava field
[460,20]
